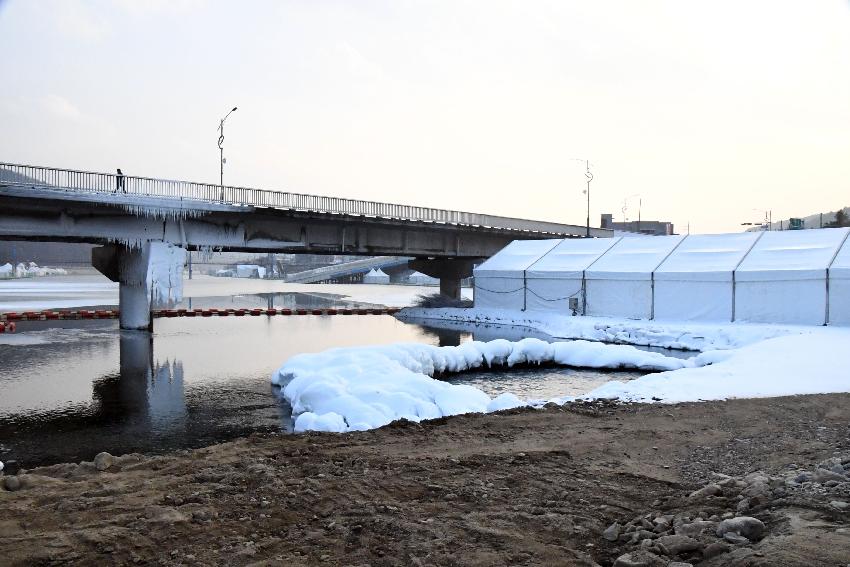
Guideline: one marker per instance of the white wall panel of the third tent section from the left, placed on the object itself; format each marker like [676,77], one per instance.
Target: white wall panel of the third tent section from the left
[619,298]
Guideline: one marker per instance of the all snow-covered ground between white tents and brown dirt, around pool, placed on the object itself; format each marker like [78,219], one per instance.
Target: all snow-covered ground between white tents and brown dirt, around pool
[362,388]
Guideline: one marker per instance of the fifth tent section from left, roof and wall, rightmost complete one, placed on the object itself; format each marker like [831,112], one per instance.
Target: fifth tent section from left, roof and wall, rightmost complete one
[783,278]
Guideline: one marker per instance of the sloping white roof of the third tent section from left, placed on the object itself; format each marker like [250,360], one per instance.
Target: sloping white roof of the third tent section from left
[633,258]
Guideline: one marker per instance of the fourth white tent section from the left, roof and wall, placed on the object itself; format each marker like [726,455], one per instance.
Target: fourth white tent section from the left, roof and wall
[702,267]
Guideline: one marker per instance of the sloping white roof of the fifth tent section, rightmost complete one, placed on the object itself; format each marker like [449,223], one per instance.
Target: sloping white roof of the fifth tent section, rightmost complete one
[792,254]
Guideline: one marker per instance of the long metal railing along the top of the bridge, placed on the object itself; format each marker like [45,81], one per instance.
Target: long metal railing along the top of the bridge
[93,182]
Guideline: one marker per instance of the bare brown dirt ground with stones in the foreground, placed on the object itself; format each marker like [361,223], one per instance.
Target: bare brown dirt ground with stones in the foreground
[524,487]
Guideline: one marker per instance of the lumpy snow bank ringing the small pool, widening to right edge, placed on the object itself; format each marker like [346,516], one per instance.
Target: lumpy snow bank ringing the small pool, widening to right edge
[363,388]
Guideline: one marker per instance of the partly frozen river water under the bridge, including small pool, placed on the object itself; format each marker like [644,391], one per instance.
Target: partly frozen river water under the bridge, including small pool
[70,389]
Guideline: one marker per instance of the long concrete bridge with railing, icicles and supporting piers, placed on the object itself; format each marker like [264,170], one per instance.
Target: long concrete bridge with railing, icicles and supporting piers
[145,225]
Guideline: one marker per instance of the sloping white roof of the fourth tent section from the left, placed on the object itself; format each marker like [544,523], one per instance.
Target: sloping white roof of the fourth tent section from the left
[707,256]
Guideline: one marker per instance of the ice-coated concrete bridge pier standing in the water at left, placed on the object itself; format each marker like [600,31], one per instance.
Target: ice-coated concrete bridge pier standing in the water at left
[149,274]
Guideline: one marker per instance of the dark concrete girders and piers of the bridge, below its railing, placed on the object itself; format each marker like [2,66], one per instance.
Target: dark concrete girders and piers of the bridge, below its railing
[126,224]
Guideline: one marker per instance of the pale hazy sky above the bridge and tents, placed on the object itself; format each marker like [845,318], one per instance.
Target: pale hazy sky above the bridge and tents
[710,111]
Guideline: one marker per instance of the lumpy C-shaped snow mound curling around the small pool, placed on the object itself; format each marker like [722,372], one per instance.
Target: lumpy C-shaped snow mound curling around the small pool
[362,388]
